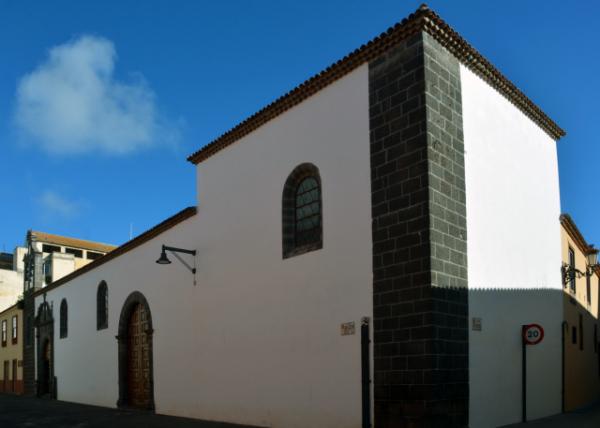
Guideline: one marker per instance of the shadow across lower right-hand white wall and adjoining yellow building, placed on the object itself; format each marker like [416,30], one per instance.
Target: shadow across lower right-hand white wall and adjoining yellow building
[496,317]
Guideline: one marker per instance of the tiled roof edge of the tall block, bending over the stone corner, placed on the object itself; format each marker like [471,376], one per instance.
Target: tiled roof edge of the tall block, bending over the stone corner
[423,19]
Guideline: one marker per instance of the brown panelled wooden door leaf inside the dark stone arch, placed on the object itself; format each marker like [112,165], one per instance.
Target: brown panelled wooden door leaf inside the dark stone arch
[138,358]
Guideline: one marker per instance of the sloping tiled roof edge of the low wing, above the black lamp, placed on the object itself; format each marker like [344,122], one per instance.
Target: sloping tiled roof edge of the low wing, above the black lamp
[126,247]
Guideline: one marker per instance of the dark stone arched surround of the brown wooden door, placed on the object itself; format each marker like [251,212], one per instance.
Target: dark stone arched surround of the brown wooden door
[134,299]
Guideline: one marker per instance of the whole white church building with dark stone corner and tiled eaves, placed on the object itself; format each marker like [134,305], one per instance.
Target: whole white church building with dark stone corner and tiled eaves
[364,252]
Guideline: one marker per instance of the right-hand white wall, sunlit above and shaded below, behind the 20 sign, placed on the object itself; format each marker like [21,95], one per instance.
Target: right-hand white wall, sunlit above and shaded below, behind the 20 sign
[513,233]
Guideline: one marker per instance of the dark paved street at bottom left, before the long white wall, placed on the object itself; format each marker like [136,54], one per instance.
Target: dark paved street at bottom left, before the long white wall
[22,412]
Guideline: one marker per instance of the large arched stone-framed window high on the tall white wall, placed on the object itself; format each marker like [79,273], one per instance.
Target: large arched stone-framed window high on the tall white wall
[302,215]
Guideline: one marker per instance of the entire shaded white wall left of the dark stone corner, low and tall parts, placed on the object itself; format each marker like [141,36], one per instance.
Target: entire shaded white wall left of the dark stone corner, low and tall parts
[257,340]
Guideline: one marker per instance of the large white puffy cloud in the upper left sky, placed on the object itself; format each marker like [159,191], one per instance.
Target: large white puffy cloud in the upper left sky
[72,103]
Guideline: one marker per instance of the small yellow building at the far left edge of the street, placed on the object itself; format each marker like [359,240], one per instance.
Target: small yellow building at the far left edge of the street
[11,350]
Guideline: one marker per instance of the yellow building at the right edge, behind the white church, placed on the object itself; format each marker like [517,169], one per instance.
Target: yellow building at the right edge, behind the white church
[581,363]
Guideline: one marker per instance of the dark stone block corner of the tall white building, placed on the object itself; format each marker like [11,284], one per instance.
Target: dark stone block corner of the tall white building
[421,371]
